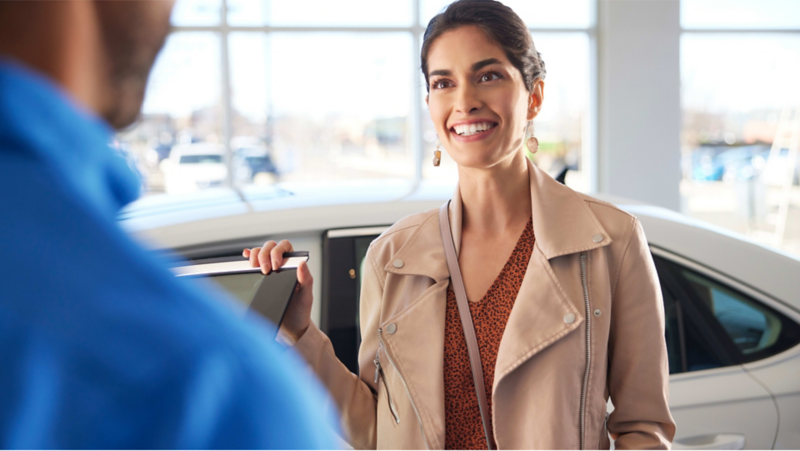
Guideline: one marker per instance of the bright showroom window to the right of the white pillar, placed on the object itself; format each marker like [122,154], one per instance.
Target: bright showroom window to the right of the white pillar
[740,62]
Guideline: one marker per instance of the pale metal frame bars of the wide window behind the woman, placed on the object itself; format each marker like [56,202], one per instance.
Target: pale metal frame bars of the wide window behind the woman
[416,119]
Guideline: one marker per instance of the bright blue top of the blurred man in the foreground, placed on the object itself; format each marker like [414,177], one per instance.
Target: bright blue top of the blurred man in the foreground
[100,346]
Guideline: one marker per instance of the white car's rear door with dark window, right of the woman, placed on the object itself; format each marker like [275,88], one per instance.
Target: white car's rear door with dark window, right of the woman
[712,329]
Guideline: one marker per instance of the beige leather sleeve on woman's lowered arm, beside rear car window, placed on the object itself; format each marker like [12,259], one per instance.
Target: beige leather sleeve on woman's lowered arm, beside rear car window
[638,379]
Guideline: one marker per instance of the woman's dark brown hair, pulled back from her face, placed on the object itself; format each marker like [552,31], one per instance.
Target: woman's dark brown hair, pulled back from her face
[501,25]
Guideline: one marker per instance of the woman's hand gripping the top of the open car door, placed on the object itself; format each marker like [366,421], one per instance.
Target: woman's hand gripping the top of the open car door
[298,314]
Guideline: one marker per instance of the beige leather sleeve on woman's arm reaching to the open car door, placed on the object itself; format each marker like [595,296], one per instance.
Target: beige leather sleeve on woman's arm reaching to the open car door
[355,395]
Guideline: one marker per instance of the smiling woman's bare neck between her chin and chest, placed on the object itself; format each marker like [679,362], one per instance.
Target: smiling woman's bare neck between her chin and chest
[497,199]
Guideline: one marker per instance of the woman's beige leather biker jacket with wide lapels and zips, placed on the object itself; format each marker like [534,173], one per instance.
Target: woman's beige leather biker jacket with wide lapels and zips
[588,323]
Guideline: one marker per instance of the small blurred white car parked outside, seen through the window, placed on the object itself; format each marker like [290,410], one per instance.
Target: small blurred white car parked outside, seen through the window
[191,167]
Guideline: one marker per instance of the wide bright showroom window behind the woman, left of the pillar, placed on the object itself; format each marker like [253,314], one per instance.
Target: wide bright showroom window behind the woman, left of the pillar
[312,91]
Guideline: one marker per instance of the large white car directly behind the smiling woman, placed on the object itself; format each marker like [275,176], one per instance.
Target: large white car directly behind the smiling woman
[732,306]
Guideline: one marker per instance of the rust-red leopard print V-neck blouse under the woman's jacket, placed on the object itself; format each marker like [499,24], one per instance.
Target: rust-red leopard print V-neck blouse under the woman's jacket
[463,427]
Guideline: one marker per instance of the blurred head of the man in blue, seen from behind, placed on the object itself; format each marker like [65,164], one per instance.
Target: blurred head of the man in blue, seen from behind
[100,51]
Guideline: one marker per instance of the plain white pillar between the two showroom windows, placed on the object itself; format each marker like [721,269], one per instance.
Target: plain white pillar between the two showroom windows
[639,122]
